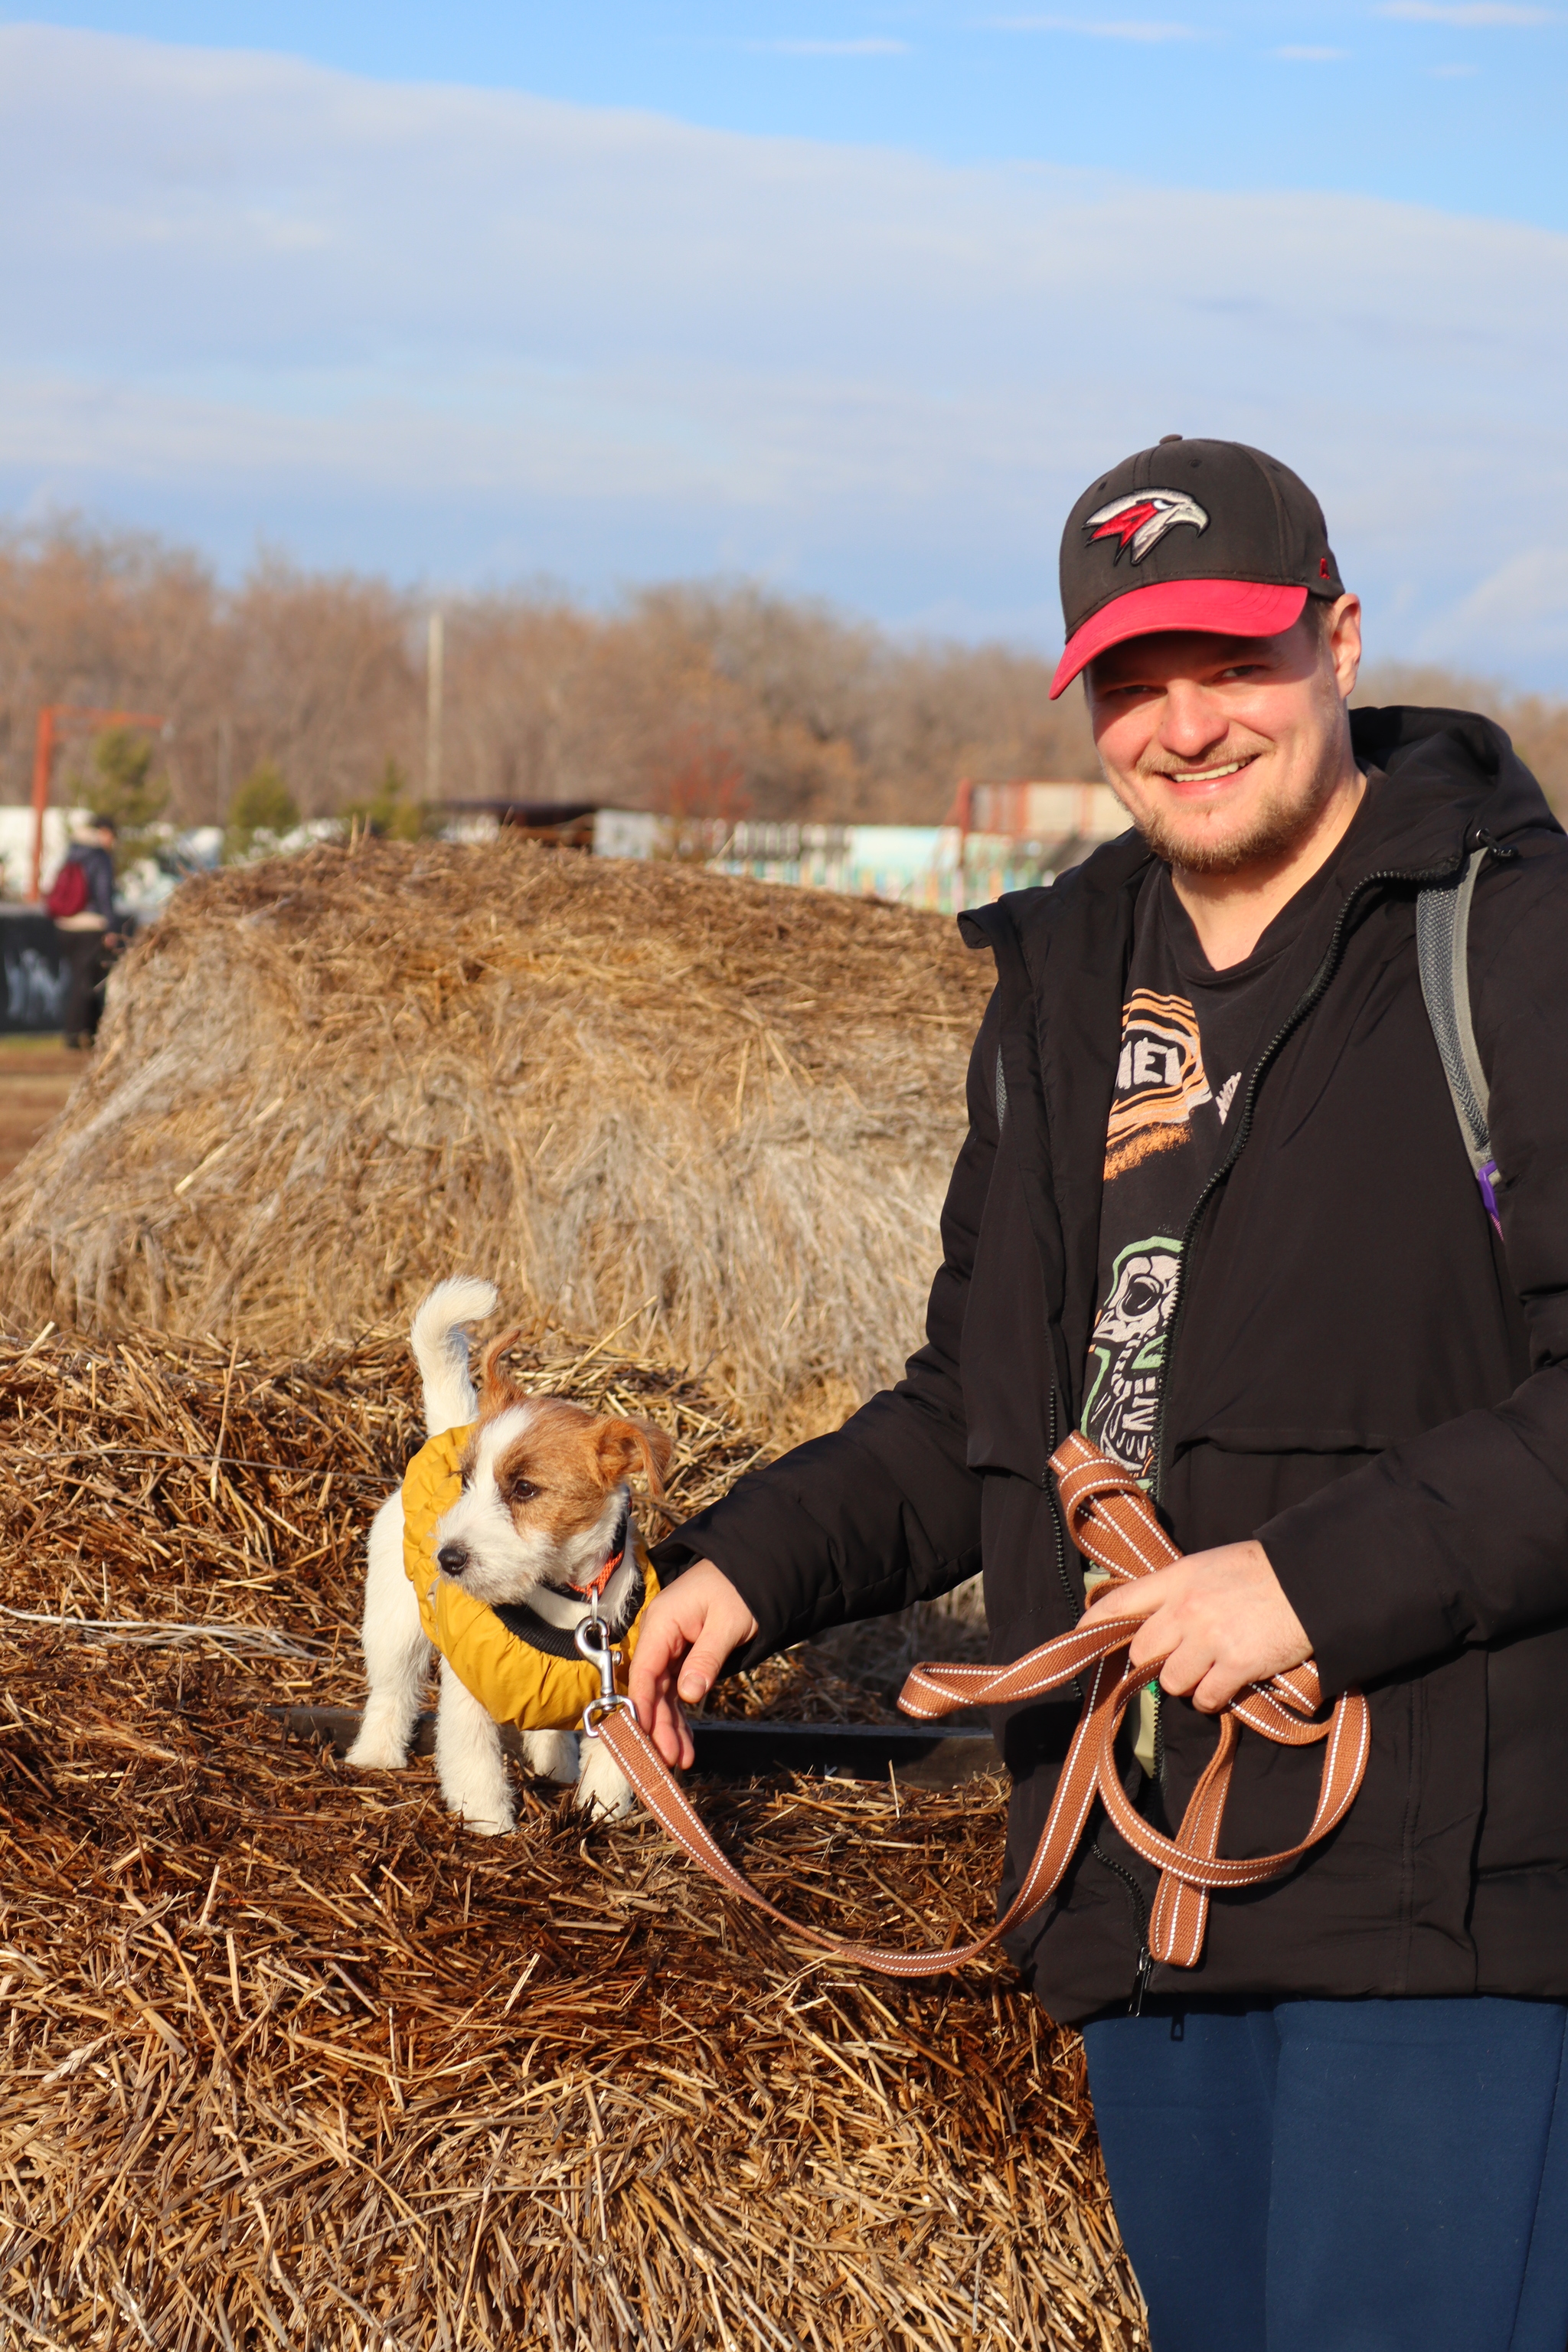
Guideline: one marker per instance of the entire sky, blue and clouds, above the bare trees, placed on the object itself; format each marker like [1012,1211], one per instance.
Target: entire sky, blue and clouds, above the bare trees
[852,300]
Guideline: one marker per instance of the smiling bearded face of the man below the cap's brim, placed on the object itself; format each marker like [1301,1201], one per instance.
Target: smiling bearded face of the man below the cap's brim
[1224,751]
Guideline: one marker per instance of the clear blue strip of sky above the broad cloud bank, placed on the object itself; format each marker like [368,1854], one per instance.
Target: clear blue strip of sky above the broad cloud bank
[1435,102]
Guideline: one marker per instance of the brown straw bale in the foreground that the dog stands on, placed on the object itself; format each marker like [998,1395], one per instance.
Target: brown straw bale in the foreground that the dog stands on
[295,2062]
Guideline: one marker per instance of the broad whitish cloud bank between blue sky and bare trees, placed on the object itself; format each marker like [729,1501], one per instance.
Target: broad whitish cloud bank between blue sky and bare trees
[474,333]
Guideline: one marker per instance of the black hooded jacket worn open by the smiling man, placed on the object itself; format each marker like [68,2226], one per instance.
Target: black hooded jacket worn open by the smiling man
[1360,1377]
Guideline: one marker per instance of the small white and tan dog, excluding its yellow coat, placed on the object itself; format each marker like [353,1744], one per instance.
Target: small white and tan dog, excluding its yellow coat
[542,1518]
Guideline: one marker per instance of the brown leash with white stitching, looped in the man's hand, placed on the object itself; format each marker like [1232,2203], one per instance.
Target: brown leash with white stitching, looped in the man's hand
[1113,1525]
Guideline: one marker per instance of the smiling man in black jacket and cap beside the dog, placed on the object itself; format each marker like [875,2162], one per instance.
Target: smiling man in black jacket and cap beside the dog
[1217,1210]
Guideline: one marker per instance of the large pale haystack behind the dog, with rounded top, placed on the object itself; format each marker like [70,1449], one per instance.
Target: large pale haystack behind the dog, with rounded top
[709,1114]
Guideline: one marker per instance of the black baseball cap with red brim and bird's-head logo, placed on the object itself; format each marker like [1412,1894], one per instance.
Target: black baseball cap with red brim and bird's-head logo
[1191,535]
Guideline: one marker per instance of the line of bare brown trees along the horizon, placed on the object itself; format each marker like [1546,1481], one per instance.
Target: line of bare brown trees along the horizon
[711,700]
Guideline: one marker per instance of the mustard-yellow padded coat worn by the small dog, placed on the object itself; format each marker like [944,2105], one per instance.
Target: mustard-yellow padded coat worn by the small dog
[514,1681]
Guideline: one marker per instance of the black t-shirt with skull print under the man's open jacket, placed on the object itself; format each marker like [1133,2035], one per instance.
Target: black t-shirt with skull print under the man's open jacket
[1191,1038]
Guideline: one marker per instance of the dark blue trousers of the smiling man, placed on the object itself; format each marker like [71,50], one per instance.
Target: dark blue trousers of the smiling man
[1341,2177]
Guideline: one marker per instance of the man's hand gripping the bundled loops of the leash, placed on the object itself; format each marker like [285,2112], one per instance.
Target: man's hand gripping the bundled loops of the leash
[1219,1619]
